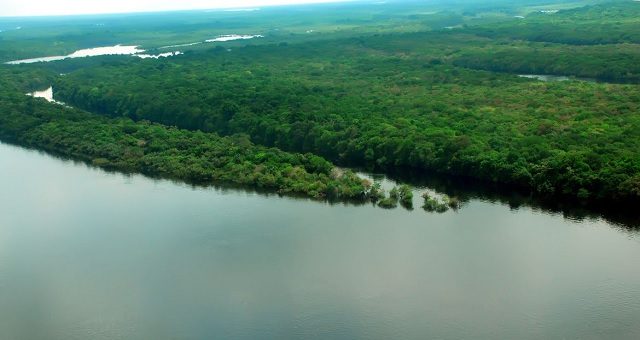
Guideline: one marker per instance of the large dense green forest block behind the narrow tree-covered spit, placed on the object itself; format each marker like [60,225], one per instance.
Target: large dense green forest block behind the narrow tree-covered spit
[380,111]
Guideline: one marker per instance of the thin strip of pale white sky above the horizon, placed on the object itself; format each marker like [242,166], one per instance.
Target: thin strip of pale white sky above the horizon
[66,7]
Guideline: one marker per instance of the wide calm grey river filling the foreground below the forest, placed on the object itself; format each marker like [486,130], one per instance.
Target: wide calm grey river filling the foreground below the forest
[86,254]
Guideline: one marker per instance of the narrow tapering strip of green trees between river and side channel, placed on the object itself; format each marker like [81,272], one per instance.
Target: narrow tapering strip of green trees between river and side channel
[156,150]
